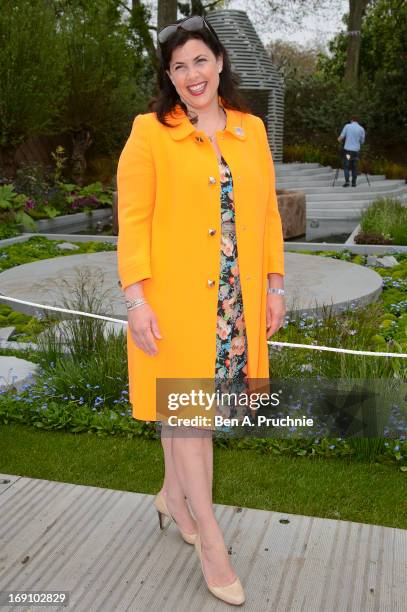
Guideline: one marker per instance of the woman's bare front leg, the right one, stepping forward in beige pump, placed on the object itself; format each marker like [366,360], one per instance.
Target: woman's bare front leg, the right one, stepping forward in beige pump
[193,459]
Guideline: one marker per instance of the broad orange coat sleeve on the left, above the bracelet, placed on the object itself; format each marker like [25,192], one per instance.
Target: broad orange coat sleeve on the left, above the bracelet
[136,198]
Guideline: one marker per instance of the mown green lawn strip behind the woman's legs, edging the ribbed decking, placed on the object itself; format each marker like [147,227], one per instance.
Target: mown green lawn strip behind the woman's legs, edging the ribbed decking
[327,488]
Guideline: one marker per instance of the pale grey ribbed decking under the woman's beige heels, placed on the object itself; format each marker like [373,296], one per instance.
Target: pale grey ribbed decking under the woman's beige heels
[104,547]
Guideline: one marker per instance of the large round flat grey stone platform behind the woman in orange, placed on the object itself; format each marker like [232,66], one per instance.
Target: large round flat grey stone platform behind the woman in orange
[311,282]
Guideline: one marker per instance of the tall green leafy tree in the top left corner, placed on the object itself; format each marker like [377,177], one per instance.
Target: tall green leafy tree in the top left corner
[32,88]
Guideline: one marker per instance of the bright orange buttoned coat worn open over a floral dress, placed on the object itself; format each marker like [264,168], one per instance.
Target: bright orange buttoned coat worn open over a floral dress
[167,202]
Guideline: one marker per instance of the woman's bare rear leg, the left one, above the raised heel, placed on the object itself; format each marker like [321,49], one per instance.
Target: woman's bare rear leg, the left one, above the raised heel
[172,489]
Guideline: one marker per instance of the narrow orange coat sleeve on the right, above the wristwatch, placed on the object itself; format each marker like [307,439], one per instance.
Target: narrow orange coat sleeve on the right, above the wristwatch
[274,230]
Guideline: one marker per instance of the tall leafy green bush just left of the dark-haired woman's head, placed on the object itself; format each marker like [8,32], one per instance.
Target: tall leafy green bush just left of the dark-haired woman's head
[101,73]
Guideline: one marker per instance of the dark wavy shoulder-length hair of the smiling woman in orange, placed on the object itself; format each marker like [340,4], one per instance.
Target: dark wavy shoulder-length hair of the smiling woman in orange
[167,98]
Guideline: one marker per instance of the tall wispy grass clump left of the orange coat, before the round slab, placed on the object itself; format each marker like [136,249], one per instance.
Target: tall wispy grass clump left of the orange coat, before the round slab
[86,361]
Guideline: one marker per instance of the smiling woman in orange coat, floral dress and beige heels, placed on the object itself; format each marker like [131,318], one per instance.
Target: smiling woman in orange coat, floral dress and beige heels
[199,237]
